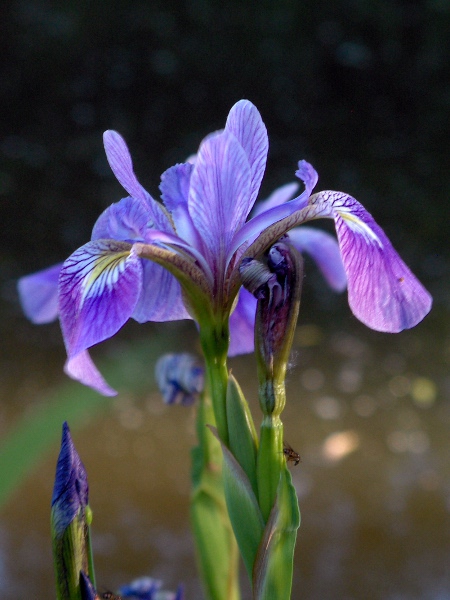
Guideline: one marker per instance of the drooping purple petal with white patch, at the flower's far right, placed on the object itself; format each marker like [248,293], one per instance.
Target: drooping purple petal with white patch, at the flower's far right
[382,291]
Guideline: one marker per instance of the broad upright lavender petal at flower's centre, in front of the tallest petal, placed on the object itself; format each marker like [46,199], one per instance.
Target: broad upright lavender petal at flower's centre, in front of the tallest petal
[219,192]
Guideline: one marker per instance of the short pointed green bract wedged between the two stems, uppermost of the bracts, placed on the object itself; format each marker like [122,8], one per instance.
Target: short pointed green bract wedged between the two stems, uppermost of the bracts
[243,440]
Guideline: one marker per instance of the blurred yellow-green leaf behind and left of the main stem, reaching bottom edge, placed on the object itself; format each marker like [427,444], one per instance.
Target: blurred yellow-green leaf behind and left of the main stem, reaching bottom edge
[216,549]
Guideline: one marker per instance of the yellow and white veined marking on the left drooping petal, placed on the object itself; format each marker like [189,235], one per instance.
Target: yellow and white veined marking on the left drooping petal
[105,273]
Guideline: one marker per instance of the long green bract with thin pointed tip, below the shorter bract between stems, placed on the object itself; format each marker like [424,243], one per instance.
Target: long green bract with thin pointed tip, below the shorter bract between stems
[243,509]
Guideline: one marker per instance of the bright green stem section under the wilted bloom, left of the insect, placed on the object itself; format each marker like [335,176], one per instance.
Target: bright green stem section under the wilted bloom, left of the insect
[270,462]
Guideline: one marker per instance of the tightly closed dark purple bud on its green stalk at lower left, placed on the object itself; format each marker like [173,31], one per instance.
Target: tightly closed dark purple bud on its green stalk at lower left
[70,519]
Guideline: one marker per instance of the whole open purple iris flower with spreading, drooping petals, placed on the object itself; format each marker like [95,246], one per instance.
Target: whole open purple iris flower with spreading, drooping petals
[195,239]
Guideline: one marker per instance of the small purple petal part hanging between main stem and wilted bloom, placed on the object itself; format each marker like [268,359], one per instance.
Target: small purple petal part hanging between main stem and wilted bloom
[242,325]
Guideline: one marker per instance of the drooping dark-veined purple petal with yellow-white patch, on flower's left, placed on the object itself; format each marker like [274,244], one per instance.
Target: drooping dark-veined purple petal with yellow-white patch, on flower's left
[99,287]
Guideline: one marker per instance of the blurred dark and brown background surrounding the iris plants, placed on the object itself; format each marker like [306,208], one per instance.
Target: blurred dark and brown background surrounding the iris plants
[359,89]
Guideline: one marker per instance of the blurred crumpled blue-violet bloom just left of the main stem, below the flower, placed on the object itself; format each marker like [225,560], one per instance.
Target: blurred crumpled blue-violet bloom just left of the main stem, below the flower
[180,378]
